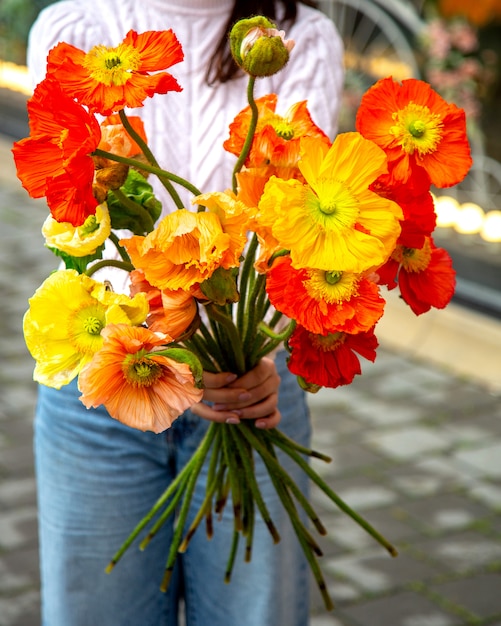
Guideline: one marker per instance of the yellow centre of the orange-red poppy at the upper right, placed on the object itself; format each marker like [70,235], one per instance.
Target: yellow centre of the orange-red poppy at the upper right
[417,128]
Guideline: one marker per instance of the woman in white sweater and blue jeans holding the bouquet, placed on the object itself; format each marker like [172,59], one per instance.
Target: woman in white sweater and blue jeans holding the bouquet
[97,477]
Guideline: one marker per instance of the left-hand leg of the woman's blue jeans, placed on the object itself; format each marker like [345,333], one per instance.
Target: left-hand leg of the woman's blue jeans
[96,480]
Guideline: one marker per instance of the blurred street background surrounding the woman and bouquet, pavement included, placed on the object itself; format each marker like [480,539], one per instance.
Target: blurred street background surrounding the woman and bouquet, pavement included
[416,440]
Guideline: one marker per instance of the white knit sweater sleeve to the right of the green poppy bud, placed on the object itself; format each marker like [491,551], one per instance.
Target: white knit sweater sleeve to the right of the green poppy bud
[315,69]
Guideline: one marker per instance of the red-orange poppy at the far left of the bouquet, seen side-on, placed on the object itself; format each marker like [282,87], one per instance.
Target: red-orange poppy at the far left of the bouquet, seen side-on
[54,161]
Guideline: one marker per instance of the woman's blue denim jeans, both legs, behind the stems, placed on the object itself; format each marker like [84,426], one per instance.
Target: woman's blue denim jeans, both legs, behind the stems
[97,478]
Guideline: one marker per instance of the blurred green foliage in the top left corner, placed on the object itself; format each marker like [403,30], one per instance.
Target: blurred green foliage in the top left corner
[16,18]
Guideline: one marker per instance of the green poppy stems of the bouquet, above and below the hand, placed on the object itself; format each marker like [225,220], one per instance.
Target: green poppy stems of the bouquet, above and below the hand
[233,338]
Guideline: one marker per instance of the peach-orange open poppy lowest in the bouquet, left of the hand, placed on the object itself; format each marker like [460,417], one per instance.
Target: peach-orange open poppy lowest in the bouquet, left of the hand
[138,387]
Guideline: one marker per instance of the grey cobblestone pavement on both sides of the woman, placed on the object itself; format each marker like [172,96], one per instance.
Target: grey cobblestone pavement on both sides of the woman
[415,448]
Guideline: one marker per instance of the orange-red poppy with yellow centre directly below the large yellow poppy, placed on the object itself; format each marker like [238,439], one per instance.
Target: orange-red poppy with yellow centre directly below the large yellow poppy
[324,302]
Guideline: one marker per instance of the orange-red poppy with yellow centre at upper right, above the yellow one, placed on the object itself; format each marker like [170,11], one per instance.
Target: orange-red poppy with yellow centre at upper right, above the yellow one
[417,129]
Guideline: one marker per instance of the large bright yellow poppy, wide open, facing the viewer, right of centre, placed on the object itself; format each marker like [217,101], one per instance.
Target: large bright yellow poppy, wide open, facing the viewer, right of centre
[334,220]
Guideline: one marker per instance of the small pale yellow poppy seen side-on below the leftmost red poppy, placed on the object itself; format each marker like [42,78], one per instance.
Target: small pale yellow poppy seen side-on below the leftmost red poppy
[78,240]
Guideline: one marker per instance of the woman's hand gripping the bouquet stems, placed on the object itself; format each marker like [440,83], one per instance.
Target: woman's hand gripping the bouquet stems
[252,396]
